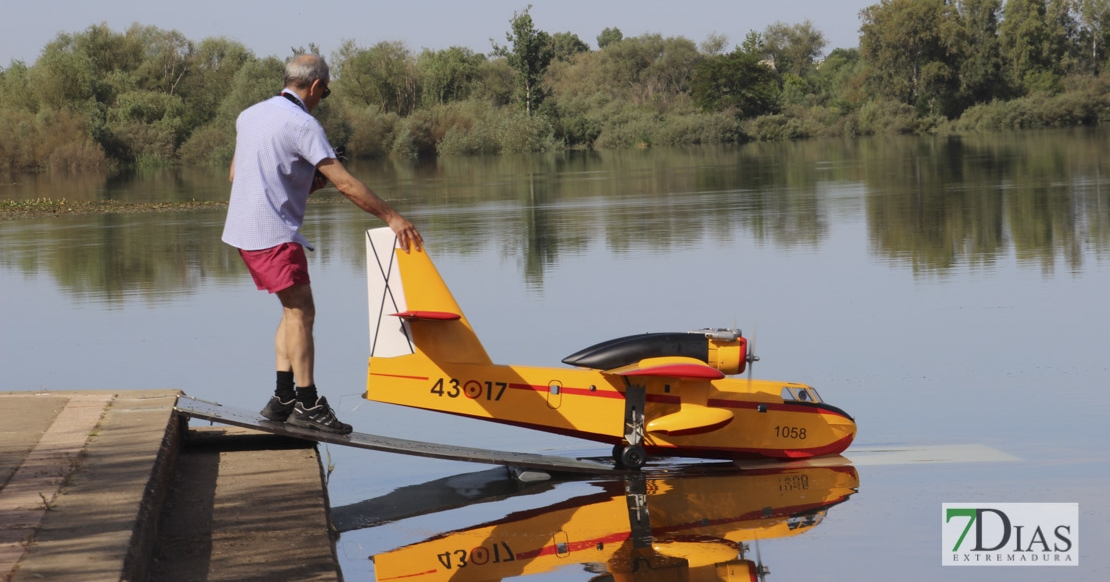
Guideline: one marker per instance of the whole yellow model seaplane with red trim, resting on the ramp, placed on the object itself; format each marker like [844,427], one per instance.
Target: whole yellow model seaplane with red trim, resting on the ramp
[663,395]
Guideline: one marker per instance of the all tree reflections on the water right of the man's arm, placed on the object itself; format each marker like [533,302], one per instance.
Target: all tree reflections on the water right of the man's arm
[932,204]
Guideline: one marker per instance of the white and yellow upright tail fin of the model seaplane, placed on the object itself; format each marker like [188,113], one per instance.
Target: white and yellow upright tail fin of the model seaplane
[411,309]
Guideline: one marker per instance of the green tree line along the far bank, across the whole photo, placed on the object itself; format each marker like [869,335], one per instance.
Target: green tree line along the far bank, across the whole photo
[98,99]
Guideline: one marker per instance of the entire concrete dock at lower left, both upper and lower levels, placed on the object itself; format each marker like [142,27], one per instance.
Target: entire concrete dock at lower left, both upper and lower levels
[114,486]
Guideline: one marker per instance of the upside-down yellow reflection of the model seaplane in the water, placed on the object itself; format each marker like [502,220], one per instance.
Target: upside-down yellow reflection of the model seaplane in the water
[643,528]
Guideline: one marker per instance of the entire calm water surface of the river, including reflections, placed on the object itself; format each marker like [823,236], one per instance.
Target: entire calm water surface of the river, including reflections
[944,292]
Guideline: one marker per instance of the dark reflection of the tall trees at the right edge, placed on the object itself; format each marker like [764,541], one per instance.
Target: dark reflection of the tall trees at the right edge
[942,203]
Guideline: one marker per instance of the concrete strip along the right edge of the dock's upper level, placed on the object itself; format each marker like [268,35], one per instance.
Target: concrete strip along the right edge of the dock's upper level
[99,525]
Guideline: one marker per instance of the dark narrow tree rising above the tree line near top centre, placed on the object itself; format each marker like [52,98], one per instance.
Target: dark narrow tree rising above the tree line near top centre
[531,54]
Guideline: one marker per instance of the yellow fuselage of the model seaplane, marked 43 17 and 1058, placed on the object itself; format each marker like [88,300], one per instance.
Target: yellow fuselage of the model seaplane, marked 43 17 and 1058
[725,418]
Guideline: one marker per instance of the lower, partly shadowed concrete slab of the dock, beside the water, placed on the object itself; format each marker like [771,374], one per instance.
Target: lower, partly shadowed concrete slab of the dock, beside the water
[246,506]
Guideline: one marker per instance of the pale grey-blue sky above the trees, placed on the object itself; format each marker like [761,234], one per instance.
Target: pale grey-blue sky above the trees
[275,27]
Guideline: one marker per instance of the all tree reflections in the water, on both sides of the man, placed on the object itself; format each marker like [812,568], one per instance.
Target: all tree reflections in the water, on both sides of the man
[933,205]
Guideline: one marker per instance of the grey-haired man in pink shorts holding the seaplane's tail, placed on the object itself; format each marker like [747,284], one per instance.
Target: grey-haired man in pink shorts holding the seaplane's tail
[282,155]
